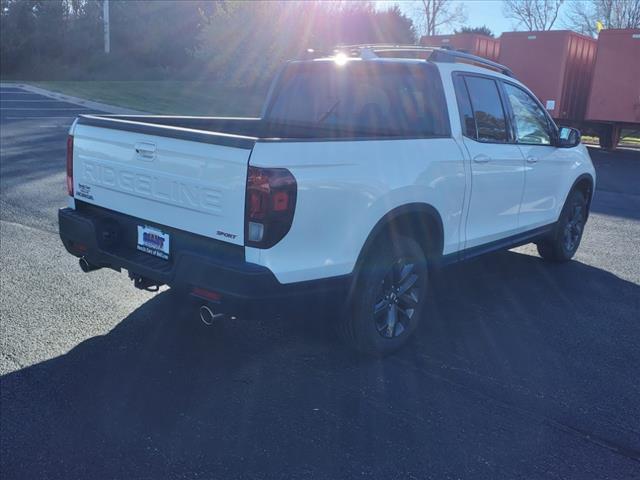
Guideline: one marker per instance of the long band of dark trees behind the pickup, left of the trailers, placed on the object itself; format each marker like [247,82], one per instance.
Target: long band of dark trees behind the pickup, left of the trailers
[241,42]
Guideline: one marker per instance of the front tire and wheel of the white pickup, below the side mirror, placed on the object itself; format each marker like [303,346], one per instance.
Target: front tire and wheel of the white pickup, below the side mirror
[564,241]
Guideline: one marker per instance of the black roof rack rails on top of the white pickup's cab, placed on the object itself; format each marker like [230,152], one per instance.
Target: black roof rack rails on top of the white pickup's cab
[436,54]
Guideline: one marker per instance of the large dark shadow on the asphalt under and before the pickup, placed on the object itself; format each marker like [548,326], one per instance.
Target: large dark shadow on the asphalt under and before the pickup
[515,358]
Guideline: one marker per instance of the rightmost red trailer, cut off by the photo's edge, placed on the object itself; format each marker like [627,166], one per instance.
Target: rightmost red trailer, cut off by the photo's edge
[614,100]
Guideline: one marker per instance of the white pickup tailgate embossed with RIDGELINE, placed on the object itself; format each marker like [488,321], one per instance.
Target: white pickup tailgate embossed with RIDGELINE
[196,186]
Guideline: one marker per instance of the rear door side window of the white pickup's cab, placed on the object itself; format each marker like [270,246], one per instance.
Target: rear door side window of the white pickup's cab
[488,111]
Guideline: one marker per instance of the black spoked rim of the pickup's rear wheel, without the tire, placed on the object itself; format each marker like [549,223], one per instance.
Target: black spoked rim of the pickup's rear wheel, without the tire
[397,299]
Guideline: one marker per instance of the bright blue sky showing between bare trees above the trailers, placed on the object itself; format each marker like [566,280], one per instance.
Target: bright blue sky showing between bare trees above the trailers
[479,12]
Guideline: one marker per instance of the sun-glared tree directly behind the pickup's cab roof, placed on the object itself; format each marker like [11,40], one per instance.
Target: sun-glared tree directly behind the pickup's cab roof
[248,42]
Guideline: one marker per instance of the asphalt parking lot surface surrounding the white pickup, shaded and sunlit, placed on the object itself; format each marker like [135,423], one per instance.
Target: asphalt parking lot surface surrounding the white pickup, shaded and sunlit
[521,369]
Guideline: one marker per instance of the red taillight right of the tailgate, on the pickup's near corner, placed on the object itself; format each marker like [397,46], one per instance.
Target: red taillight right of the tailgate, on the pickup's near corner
[270,204]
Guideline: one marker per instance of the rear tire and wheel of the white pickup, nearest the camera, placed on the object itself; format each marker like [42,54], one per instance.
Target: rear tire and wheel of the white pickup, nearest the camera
[388,297]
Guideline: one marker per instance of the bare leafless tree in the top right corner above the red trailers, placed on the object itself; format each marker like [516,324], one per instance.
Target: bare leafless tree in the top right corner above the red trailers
[583,16]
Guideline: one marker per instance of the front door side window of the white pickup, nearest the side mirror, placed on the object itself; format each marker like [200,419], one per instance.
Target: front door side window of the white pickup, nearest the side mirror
[530,120]
